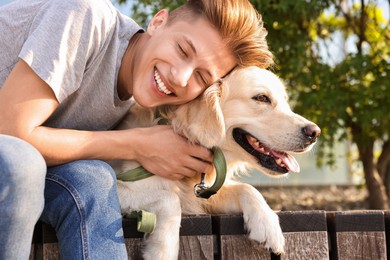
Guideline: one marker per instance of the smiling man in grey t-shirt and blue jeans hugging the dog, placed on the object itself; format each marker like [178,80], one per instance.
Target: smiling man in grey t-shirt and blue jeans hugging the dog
[67,72]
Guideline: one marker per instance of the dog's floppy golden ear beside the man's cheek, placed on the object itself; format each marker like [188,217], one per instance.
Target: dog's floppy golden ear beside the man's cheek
[201,120]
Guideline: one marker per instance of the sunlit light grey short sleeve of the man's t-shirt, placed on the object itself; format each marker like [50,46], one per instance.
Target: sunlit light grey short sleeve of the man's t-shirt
[64,39]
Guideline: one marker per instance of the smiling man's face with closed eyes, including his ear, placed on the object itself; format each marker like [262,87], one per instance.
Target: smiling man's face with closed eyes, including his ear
[178,61]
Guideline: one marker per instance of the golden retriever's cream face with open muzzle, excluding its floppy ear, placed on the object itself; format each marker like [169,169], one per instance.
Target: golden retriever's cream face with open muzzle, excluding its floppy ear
[260,124]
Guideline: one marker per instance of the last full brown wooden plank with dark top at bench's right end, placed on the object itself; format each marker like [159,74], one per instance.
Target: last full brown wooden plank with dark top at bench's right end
[357,235]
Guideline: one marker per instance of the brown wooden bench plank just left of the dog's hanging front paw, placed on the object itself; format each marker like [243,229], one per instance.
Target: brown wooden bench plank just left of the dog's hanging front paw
[233,242]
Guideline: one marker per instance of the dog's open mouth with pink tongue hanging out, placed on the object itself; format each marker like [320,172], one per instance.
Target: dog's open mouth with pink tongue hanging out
[277,161]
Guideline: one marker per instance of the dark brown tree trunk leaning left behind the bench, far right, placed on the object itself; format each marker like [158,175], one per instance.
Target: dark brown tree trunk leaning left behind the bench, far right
[377,196]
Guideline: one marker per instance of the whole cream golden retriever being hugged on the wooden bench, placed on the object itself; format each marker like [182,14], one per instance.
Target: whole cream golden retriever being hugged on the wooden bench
[247,116]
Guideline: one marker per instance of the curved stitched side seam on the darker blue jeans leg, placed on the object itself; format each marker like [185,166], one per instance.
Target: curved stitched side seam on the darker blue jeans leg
[73,192]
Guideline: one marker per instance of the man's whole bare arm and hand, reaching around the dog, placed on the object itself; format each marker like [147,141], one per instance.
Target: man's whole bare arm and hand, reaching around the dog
[27,102]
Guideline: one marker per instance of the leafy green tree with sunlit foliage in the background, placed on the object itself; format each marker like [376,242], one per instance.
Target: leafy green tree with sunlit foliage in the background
[335,57]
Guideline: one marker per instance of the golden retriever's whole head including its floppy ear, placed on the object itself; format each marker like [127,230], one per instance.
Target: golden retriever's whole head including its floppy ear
[248,117]
